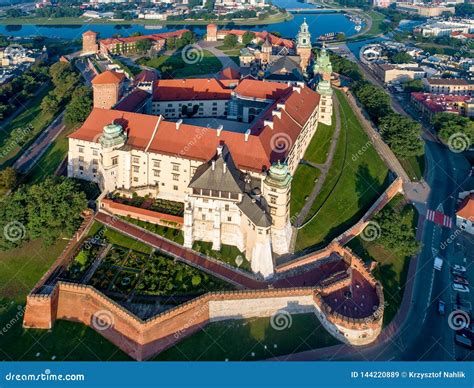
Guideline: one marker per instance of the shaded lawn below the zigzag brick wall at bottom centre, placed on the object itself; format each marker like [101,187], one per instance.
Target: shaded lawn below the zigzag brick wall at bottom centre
[237,340]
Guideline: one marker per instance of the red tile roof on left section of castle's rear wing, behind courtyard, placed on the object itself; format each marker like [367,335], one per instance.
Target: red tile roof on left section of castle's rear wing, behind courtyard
[190,89]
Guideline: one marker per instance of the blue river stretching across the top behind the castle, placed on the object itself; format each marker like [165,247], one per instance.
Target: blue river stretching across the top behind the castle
[318,24]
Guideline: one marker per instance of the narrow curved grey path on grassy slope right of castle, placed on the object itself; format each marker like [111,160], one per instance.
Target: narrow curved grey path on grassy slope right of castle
[323,167]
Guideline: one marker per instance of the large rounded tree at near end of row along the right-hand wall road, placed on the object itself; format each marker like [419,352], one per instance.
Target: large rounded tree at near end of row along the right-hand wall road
[402,134]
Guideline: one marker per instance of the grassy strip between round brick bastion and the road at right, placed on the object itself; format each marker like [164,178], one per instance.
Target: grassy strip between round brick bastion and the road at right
[393,266]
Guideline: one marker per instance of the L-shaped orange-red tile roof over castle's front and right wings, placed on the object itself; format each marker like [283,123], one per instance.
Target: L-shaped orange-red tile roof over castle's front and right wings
[261,149]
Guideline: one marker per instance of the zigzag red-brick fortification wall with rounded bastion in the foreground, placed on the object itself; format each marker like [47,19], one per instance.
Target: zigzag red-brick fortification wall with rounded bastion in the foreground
[144,339]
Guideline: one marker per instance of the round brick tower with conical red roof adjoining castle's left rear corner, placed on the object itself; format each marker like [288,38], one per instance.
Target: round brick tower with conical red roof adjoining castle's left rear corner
[107,89]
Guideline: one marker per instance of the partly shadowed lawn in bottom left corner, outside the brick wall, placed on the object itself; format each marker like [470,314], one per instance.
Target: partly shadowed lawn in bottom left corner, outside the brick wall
[20,269]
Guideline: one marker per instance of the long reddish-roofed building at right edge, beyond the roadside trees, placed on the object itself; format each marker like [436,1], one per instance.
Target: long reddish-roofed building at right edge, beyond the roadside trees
[430,104]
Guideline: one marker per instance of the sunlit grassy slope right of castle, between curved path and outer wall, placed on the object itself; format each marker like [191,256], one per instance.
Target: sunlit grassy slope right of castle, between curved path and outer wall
[351,186]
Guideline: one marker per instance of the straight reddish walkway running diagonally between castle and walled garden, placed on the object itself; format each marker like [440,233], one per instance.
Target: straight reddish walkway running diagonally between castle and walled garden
[188,256]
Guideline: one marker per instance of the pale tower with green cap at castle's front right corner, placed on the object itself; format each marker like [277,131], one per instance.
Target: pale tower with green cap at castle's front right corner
[276,190]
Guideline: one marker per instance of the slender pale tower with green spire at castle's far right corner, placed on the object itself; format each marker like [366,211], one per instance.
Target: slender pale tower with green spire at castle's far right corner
[323,70]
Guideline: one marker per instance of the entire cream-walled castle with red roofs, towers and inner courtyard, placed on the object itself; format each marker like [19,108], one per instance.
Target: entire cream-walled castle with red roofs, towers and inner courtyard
[225,148]
